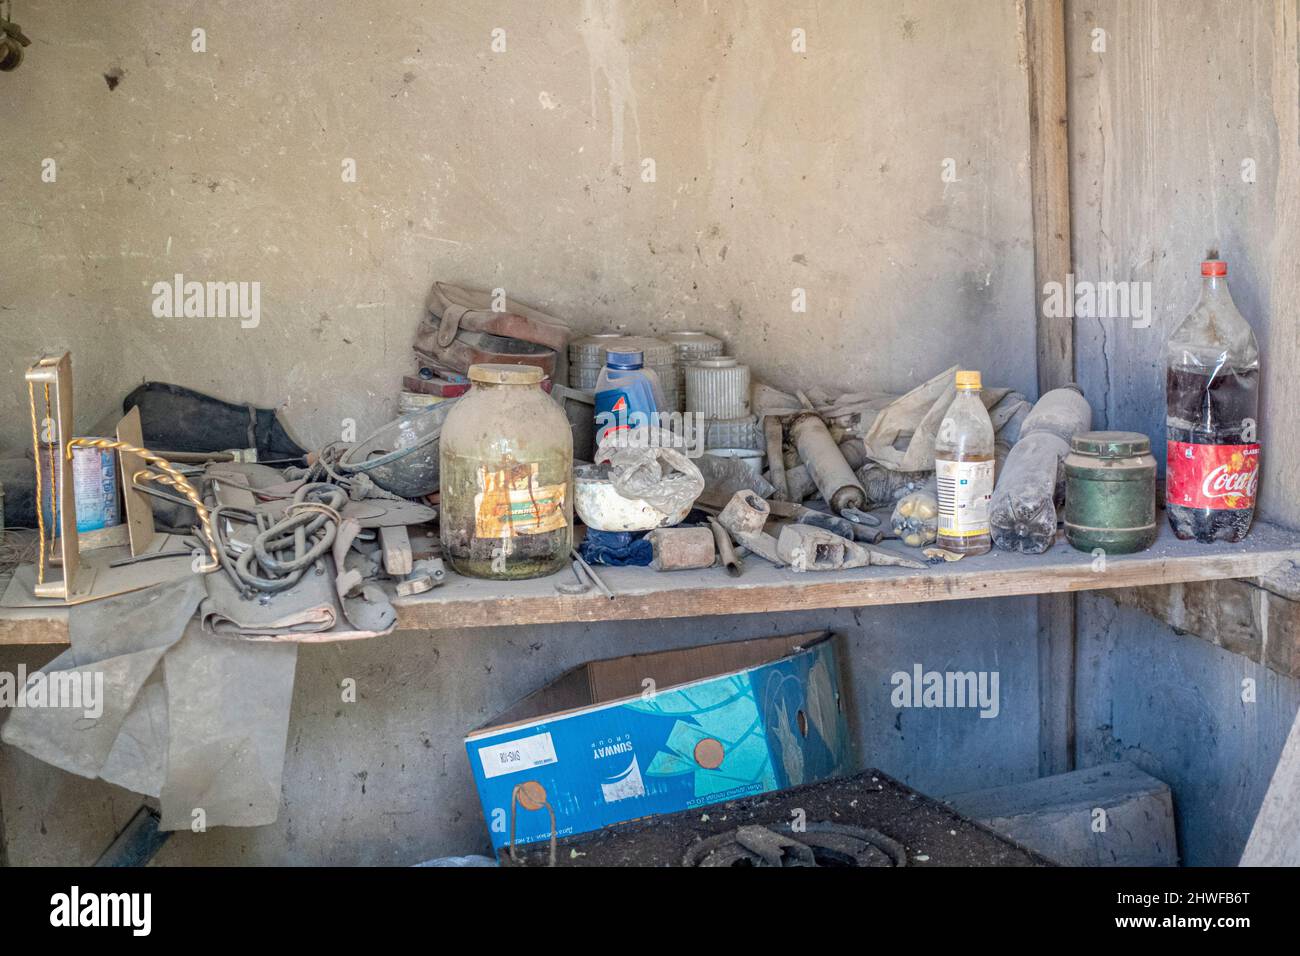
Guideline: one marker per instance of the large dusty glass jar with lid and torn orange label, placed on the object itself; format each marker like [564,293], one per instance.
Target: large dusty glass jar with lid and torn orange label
[506,465]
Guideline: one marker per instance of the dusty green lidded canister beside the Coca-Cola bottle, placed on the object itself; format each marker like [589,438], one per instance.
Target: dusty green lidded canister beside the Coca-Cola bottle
[1111,492]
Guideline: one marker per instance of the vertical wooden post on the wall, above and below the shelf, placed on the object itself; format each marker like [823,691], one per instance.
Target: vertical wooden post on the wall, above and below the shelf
[1050,188]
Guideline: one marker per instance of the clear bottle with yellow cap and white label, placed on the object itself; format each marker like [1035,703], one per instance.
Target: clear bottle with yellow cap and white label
[964,470]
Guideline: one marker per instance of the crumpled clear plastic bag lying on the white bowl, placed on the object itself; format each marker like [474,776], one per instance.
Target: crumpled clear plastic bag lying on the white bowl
[644,464]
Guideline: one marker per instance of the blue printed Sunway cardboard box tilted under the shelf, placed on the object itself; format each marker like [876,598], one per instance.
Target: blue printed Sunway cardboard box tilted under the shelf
[649,734]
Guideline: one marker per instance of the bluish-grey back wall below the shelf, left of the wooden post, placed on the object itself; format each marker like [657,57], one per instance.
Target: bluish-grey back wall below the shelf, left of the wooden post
[387,780]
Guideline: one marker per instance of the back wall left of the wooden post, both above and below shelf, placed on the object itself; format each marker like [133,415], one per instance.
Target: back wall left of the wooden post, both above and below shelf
[525,170]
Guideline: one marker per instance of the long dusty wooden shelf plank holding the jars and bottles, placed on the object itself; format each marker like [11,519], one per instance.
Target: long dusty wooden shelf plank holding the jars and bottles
[642,594]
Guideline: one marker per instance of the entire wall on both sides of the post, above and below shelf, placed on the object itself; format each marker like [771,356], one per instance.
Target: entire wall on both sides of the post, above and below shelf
[773,171]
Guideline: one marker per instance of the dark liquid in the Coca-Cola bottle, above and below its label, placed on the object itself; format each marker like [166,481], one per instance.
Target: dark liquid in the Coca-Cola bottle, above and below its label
[1210,406]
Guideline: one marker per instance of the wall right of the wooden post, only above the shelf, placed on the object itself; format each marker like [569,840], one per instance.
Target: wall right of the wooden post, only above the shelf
[1185,136]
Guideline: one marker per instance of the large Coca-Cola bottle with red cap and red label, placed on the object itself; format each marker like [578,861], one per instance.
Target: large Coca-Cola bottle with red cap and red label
[1212,392]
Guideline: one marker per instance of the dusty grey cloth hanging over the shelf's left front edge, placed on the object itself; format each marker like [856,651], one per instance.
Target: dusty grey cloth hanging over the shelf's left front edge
[201,723]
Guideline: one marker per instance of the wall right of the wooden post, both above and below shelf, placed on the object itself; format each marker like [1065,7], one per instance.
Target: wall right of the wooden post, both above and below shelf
[1185,135]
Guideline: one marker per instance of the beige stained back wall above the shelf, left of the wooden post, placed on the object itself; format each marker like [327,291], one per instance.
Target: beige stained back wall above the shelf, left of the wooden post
[519,170]
